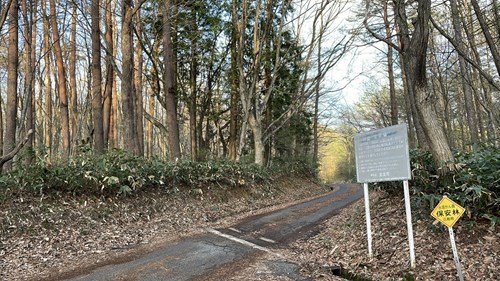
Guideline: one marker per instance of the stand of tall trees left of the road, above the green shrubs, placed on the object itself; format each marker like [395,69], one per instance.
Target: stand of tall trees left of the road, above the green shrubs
[169,79]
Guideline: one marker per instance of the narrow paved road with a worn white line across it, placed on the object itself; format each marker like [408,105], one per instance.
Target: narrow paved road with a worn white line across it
[216,254]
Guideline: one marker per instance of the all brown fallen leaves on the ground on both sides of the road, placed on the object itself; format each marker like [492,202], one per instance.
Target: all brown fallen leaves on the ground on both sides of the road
[44,239]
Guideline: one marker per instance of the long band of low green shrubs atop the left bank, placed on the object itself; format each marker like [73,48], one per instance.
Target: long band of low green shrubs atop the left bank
[120,173]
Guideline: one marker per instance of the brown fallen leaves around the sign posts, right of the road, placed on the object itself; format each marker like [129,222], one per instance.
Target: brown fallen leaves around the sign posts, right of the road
[342,243]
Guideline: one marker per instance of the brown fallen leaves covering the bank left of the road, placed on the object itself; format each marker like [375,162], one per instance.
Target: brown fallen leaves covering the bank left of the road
[45,238]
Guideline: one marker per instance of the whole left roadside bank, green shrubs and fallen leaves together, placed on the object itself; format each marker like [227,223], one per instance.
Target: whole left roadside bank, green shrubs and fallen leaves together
[65,214]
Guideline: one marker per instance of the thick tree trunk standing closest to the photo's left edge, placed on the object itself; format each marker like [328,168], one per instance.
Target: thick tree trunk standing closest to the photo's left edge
[12,67]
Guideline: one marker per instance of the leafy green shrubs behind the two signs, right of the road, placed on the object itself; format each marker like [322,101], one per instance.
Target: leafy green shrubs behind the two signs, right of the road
[474,183]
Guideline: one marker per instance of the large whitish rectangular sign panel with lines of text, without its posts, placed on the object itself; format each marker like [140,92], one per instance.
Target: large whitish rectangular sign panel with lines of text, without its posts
[383,155]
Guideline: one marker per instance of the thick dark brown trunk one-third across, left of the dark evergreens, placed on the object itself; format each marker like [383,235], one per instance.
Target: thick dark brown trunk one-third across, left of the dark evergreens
[169,80]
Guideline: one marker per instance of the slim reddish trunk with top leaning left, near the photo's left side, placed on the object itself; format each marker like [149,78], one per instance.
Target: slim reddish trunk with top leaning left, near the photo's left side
[61,77]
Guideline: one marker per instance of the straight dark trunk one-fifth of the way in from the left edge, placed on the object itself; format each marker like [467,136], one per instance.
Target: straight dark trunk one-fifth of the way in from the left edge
[97,114]
